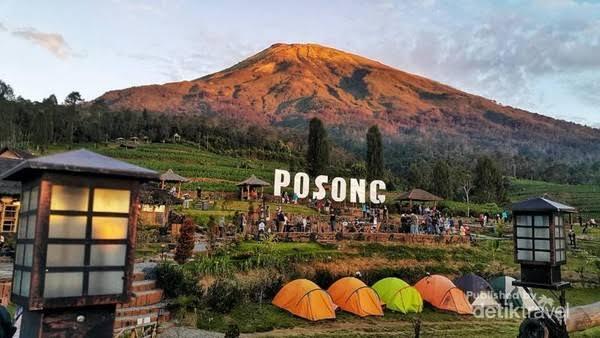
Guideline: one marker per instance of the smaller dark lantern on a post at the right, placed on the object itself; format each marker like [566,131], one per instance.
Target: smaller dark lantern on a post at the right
[540,248]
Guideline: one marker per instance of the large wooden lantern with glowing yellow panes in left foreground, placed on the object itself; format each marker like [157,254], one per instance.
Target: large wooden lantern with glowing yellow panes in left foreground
[76,242]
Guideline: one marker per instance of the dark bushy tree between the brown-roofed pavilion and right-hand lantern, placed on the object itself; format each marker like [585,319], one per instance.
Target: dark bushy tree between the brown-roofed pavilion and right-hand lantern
[489,183]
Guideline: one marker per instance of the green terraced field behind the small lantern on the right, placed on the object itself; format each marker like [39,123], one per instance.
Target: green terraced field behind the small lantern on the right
[584,197]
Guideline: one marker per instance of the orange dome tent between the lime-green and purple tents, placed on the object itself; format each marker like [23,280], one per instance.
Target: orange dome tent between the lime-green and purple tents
[440,292]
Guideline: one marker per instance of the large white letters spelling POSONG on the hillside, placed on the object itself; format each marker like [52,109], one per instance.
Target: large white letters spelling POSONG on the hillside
[339,187]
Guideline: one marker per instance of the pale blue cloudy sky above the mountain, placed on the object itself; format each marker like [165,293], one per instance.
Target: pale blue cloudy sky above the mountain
[542,56]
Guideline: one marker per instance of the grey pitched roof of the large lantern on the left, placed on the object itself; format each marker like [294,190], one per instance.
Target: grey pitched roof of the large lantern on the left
[80,161]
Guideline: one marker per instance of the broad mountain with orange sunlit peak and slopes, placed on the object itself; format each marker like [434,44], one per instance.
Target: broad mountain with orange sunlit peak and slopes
[286,84]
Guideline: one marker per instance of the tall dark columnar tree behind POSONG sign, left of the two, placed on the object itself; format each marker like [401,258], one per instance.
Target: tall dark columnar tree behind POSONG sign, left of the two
[317,156]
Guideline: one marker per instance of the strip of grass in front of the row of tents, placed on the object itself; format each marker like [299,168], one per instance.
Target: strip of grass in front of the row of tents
[257,318]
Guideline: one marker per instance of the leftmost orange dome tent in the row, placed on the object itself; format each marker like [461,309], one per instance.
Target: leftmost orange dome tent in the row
[305,299]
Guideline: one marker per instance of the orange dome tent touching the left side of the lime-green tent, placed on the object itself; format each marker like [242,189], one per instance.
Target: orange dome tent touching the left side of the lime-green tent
[354,296]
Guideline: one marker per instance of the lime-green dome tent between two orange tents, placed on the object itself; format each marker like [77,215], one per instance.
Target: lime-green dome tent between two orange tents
[399,295]
